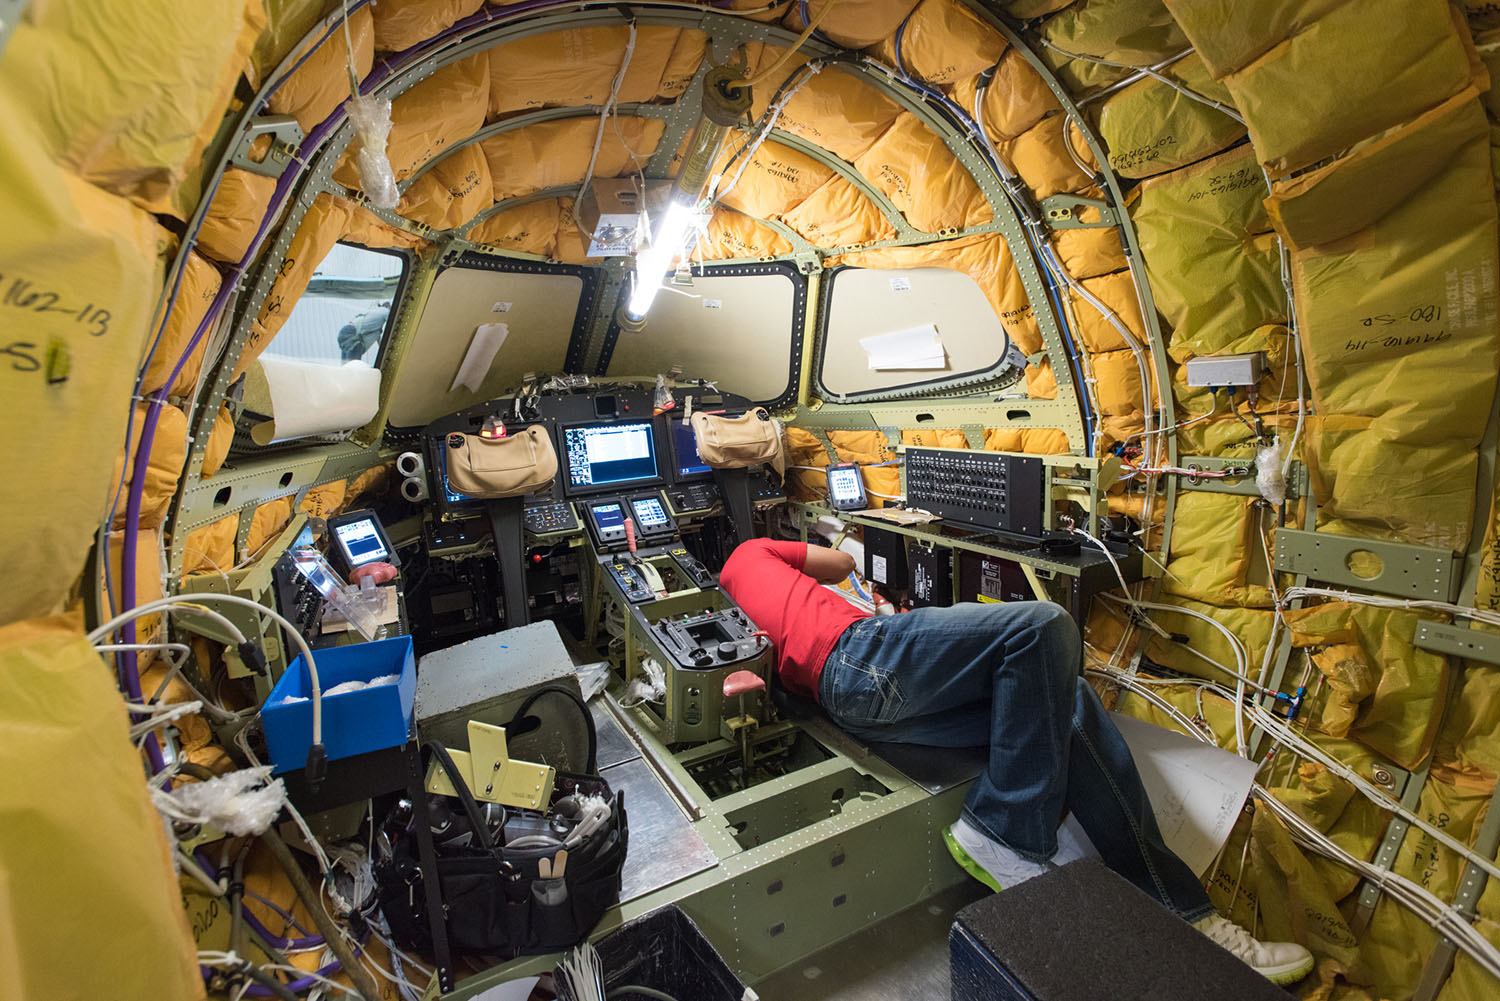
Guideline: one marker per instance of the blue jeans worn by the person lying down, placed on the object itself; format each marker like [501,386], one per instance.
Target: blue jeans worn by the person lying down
[1007,676]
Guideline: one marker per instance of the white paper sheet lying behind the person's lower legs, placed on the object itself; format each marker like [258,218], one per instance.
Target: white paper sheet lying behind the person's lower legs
[1196,789]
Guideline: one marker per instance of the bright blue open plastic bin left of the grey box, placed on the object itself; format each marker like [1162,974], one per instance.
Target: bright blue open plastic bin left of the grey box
[353,723]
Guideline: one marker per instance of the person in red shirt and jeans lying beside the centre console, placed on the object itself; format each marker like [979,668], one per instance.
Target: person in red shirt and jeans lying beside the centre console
[974,675]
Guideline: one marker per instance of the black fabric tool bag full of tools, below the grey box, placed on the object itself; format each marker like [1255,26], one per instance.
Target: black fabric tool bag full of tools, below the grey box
[496,898]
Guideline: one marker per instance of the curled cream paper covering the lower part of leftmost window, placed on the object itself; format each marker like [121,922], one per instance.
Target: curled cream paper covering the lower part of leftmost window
[305,398]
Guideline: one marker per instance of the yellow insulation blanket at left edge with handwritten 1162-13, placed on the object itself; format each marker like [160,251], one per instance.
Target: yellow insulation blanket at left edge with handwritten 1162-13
[80,281]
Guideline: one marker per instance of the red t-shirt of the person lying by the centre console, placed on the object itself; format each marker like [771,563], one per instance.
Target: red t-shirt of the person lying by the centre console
[803,619]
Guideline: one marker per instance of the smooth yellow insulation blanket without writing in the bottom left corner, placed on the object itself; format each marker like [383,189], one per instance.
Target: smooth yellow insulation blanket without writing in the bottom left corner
[67,892]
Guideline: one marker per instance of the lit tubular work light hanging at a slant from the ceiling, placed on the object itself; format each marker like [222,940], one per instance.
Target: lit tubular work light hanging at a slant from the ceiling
[727,101]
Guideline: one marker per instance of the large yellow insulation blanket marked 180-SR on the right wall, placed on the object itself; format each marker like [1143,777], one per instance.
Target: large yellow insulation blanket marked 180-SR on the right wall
[1400,338]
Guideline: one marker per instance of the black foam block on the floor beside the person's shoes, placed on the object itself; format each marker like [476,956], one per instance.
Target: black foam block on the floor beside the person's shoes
[1081,934]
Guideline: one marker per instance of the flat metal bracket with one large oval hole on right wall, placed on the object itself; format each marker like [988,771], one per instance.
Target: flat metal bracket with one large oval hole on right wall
[1405,571]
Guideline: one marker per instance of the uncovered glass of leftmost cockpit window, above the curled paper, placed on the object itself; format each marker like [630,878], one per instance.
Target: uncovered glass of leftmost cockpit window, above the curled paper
[346,313]
